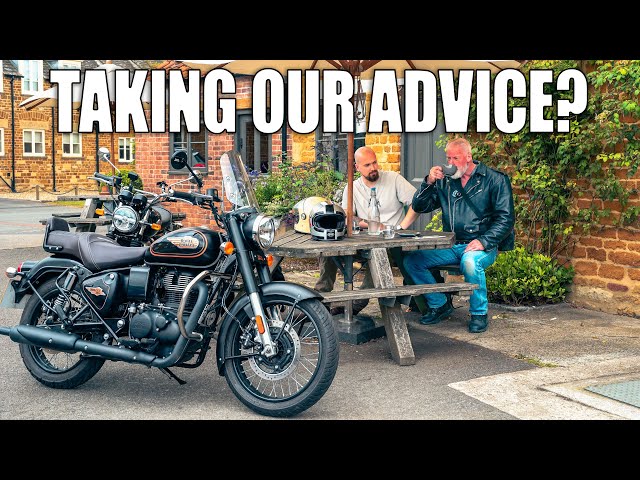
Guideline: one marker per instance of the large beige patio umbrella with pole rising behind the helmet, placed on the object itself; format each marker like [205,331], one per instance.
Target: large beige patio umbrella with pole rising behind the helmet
[359,70]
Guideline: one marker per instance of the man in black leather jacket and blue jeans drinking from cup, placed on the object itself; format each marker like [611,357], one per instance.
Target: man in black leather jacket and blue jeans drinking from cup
[477,236]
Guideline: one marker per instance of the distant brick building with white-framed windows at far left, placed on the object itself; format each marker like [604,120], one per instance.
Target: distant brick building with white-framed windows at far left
[32,151]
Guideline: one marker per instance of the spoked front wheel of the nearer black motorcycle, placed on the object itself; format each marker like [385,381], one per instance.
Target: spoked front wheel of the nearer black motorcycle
[301,372]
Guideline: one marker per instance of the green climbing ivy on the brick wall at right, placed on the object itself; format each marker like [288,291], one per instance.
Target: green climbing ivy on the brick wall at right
[571,183]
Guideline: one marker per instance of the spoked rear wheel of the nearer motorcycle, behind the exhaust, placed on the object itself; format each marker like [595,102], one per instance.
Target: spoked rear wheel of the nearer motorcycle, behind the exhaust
[54,368]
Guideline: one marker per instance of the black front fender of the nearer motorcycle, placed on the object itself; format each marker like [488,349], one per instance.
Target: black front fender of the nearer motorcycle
[272,291]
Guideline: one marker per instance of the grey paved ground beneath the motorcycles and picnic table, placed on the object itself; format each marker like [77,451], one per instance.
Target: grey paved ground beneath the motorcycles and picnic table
[534,365]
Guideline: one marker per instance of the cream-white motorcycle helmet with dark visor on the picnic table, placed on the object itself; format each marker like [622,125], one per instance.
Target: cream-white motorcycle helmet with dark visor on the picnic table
[321,218]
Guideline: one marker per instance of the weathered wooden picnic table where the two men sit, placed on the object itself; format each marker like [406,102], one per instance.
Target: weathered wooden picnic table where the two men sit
[390,296]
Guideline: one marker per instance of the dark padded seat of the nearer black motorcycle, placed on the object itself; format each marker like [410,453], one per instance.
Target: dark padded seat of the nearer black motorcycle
[96,251]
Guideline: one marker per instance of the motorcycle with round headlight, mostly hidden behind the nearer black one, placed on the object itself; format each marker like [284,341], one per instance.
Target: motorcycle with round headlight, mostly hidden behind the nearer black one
[137,219]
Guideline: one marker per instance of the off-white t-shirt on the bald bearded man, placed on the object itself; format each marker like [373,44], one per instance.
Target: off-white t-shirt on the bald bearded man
[393,191]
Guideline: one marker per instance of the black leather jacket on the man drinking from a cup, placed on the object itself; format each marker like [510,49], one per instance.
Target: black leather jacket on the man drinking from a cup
[488,189]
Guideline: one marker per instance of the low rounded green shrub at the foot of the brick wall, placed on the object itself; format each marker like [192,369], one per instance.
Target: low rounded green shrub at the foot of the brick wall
[522,278]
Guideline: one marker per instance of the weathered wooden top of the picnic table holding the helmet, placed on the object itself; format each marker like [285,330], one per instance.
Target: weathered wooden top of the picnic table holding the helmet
[301,245]
